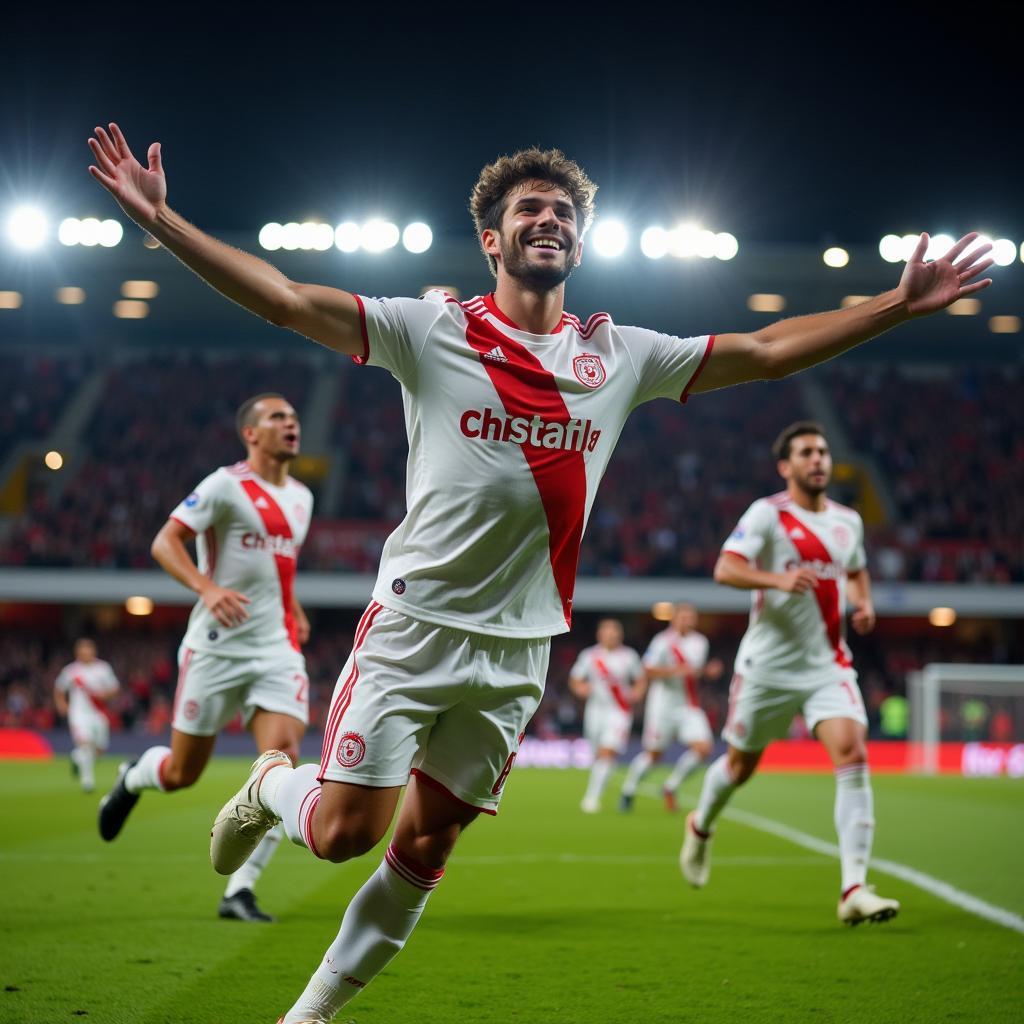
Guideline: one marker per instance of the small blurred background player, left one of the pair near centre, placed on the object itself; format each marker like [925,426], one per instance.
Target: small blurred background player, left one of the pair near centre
[608,676]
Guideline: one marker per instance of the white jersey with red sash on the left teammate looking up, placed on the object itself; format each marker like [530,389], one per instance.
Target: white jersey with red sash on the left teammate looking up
[248,535]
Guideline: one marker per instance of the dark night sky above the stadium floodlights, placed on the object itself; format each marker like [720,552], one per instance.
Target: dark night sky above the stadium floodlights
[838,126]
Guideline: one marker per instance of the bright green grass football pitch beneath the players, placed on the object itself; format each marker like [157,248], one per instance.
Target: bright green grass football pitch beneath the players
[546,915]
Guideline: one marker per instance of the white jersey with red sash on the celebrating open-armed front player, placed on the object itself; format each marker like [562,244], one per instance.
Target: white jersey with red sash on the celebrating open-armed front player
[509,435]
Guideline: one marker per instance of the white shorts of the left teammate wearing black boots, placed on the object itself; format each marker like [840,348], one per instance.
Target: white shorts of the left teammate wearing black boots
[212,690]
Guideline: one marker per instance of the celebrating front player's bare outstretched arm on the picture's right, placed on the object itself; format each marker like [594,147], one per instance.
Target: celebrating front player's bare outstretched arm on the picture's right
[791,346]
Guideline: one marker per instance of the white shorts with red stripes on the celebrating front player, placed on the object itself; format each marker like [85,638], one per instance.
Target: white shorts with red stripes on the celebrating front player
[446,705]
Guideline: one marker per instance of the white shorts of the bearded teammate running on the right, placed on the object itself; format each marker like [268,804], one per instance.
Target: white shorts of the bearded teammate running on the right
[761,711]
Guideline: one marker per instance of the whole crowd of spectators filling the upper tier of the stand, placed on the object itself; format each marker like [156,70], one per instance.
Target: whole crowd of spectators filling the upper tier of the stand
[950,445]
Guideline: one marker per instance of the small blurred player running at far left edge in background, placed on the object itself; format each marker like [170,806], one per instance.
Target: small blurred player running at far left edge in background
[81,693]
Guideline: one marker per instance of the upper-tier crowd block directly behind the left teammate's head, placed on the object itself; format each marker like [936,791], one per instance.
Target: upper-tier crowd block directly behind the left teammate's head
[161,426]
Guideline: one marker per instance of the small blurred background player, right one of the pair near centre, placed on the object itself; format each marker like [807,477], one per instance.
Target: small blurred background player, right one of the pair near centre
[676,660]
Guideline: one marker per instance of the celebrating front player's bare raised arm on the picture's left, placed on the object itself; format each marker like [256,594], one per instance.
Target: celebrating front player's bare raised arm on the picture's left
[326,315]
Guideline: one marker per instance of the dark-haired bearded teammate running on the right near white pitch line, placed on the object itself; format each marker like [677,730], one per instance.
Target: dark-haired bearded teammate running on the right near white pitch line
[803,557]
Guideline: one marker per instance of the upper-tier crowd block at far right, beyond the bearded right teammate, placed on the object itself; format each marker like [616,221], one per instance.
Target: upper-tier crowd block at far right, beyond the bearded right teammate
[951,445]
